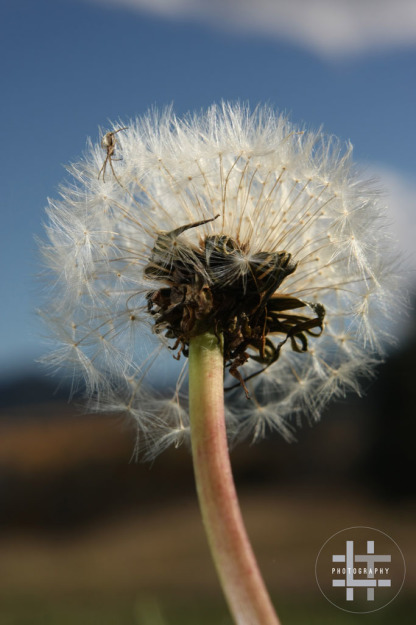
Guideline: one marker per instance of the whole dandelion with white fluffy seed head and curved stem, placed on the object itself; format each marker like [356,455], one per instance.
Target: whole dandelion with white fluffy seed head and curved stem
[250,251]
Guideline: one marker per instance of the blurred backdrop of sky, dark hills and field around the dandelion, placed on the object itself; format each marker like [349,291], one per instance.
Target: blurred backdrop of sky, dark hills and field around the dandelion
[86,534]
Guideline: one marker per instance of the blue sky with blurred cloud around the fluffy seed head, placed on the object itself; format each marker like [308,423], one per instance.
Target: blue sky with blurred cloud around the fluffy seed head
[67,67]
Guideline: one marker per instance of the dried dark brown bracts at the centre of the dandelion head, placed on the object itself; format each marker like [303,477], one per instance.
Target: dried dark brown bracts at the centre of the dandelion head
[245,306]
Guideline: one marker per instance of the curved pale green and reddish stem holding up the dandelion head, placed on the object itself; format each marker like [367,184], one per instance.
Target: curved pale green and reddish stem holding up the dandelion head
[233,556]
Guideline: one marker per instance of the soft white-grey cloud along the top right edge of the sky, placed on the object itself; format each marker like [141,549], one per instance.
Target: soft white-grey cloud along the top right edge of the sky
[331,28]
